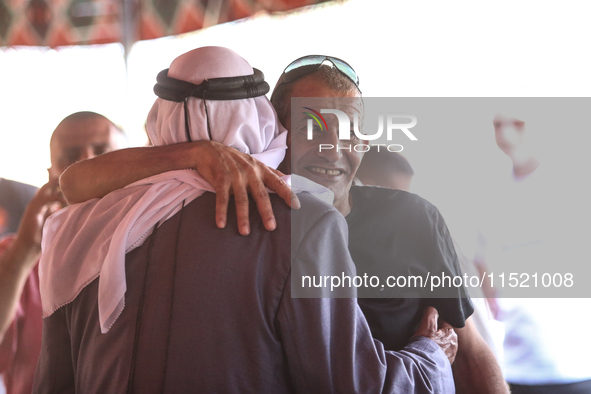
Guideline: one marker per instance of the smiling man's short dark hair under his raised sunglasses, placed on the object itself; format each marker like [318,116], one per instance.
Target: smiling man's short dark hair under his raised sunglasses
[330,76]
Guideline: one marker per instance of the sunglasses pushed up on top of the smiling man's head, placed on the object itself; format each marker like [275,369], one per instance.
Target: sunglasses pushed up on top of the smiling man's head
[308,64]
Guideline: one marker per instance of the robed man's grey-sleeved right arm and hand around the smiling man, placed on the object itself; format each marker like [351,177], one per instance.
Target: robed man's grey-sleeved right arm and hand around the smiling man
[327,342]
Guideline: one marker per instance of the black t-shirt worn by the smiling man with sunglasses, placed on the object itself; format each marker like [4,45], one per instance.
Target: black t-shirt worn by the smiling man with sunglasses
[392,232]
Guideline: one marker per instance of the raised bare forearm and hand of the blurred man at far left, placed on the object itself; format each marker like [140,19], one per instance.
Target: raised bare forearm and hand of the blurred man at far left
[22,255]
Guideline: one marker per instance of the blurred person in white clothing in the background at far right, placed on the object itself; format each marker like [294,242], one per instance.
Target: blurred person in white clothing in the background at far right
[529,223]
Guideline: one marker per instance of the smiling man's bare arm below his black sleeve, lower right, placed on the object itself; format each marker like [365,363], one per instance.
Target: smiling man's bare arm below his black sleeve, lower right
[476,369]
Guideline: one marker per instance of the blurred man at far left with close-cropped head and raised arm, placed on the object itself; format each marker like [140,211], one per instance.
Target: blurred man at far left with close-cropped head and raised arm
[79,136]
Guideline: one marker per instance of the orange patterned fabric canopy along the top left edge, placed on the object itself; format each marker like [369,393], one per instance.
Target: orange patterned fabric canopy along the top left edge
[79,22]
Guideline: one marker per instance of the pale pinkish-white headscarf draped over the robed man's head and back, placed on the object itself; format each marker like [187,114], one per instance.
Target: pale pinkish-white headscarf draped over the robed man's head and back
[90,240]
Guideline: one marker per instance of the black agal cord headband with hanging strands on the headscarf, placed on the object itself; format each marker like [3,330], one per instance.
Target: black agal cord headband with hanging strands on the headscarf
[228,88]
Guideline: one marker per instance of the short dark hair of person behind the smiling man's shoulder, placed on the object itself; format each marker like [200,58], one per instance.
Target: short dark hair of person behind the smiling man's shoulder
[383,161]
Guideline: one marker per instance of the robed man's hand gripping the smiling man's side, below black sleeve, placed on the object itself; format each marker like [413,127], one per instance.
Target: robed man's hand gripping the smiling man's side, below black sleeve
[443,334]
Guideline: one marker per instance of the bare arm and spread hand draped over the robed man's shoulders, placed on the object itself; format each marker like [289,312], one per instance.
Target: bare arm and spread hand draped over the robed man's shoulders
[226,169]
